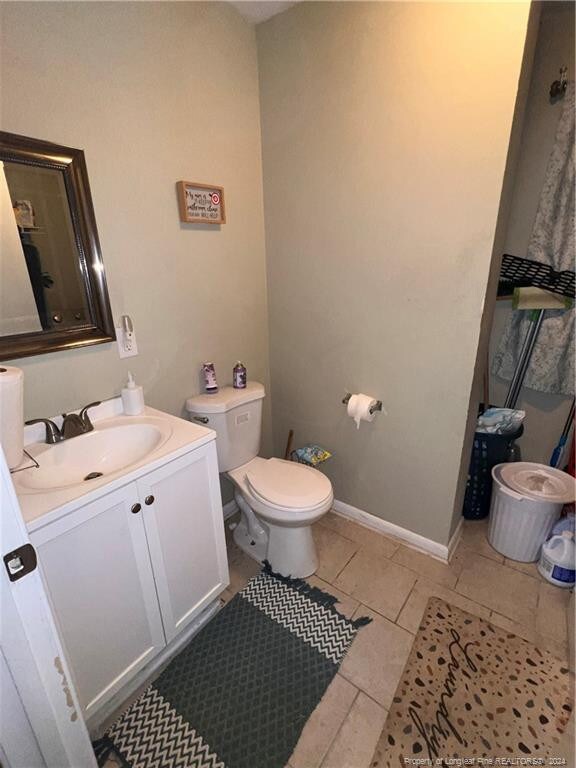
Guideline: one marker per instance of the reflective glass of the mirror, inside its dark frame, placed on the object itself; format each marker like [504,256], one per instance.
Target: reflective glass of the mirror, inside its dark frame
[41,286]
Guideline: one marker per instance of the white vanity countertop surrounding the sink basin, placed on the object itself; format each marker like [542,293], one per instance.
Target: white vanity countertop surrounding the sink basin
[41,507]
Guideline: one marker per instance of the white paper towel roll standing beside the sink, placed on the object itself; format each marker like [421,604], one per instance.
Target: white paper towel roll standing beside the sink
[12,414]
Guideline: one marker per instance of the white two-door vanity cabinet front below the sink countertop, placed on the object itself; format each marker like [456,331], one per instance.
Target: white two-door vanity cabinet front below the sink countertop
[127,572]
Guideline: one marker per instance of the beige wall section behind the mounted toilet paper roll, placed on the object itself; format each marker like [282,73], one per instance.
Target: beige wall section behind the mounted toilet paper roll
[385,135]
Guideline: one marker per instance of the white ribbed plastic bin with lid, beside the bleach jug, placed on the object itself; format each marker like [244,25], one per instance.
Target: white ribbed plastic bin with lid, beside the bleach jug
[527,499]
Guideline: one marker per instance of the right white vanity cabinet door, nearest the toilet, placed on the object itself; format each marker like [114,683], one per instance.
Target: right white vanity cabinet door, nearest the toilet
[185,530]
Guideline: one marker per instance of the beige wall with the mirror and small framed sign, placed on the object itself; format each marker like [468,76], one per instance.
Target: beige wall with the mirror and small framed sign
[153,93]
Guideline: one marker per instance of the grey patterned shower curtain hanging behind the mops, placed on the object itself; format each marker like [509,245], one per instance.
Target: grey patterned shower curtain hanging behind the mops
[552,363]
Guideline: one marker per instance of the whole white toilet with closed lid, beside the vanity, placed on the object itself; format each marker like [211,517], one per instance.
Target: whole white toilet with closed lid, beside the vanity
[279,500]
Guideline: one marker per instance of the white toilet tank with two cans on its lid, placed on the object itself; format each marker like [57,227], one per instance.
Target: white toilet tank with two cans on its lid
[236,417]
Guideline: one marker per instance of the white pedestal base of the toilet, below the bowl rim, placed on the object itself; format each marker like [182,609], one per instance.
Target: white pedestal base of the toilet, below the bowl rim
[290,551]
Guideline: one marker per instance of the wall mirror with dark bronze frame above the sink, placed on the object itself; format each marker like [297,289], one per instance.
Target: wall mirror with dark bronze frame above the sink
[53,292]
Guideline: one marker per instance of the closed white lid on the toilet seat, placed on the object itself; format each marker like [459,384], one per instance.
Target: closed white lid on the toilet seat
[288,484]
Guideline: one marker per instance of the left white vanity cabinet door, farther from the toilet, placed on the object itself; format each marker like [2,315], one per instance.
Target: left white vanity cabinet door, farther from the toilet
[97,568]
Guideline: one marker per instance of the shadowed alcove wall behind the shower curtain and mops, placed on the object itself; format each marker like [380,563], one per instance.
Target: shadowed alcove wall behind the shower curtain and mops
[545,413]
